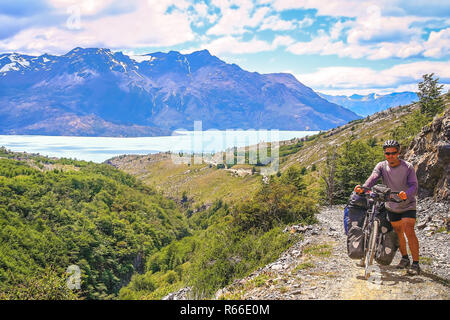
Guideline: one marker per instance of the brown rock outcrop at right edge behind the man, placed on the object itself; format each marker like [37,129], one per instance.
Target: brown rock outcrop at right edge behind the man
[430,154]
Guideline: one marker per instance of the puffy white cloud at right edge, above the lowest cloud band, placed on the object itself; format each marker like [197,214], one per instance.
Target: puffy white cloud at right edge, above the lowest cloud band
[390,38]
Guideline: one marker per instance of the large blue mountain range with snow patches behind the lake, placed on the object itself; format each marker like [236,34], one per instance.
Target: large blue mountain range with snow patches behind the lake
[97,92]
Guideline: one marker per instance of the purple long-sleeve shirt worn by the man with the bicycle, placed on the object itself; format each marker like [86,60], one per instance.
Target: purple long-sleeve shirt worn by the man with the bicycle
[400,178]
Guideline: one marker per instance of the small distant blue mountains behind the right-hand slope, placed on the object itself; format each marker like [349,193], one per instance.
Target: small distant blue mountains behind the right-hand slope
[371,103]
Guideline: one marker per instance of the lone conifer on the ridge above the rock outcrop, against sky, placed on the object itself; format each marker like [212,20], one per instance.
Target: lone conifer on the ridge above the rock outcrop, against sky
[429,94]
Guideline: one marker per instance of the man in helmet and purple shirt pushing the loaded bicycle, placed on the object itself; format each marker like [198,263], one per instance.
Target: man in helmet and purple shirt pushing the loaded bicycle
[399,175]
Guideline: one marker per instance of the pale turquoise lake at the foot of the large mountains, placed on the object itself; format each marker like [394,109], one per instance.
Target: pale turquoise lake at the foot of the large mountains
[99,149]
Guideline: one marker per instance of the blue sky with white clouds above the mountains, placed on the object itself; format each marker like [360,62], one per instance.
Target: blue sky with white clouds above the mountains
[338,47]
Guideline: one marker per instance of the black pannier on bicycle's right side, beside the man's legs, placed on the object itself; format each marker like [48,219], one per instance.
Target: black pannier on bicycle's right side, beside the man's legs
[387,242]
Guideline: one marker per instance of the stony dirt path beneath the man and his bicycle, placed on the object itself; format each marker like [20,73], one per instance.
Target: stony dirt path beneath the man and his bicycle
[318,268]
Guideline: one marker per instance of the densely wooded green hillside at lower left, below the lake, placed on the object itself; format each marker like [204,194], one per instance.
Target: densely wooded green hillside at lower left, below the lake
[59,212]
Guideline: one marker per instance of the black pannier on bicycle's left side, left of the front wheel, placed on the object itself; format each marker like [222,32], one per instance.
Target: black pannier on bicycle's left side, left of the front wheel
[357,207]
